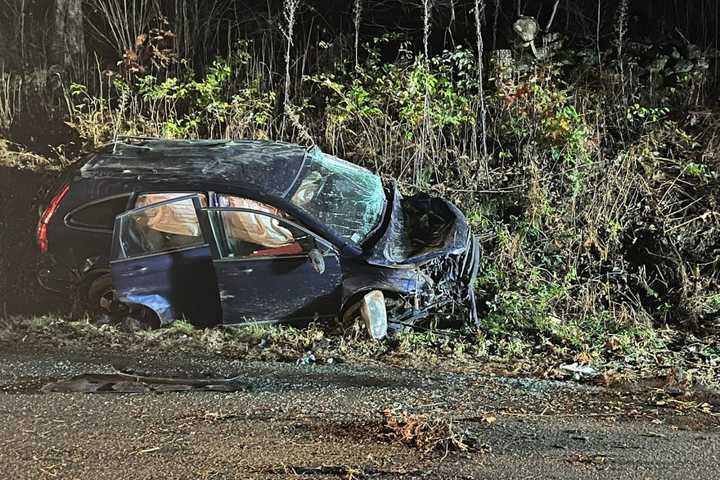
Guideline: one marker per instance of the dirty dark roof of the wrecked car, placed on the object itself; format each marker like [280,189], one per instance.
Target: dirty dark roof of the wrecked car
[271,167]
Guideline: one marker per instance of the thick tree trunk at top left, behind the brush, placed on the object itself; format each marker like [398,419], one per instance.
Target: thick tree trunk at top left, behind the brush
[68,40]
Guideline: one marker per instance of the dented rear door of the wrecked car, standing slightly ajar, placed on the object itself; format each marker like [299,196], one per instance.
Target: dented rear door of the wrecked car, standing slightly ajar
[161,259]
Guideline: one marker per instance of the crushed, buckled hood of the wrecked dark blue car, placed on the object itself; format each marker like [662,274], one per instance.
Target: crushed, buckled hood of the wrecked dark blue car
[420,228]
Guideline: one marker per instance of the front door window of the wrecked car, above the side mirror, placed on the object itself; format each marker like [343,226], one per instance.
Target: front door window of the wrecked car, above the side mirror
[256,234]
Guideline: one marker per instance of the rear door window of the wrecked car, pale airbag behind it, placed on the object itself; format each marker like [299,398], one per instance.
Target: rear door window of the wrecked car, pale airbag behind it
[160,228]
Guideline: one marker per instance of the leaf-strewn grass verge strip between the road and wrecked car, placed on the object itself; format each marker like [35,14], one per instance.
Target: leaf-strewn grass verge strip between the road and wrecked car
[463,350]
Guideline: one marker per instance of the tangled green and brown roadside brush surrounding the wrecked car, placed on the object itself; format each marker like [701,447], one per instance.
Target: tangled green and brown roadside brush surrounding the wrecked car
[593,184]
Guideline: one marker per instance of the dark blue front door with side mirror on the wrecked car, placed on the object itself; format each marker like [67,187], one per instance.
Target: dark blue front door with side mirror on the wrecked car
[270,269]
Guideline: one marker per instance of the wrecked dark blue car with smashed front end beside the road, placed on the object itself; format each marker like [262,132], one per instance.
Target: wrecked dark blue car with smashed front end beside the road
[248,232]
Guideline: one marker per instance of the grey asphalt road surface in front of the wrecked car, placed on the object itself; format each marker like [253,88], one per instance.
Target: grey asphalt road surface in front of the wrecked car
[325,421]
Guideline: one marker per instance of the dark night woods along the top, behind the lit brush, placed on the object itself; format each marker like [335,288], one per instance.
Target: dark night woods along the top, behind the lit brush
[208,28]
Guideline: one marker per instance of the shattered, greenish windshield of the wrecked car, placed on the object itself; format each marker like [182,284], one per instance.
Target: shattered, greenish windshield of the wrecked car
[345,197]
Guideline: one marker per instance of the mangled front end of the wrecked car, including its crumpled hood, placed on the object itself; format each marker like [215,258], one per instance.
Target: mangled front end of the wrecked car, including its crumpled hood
[430,237]
